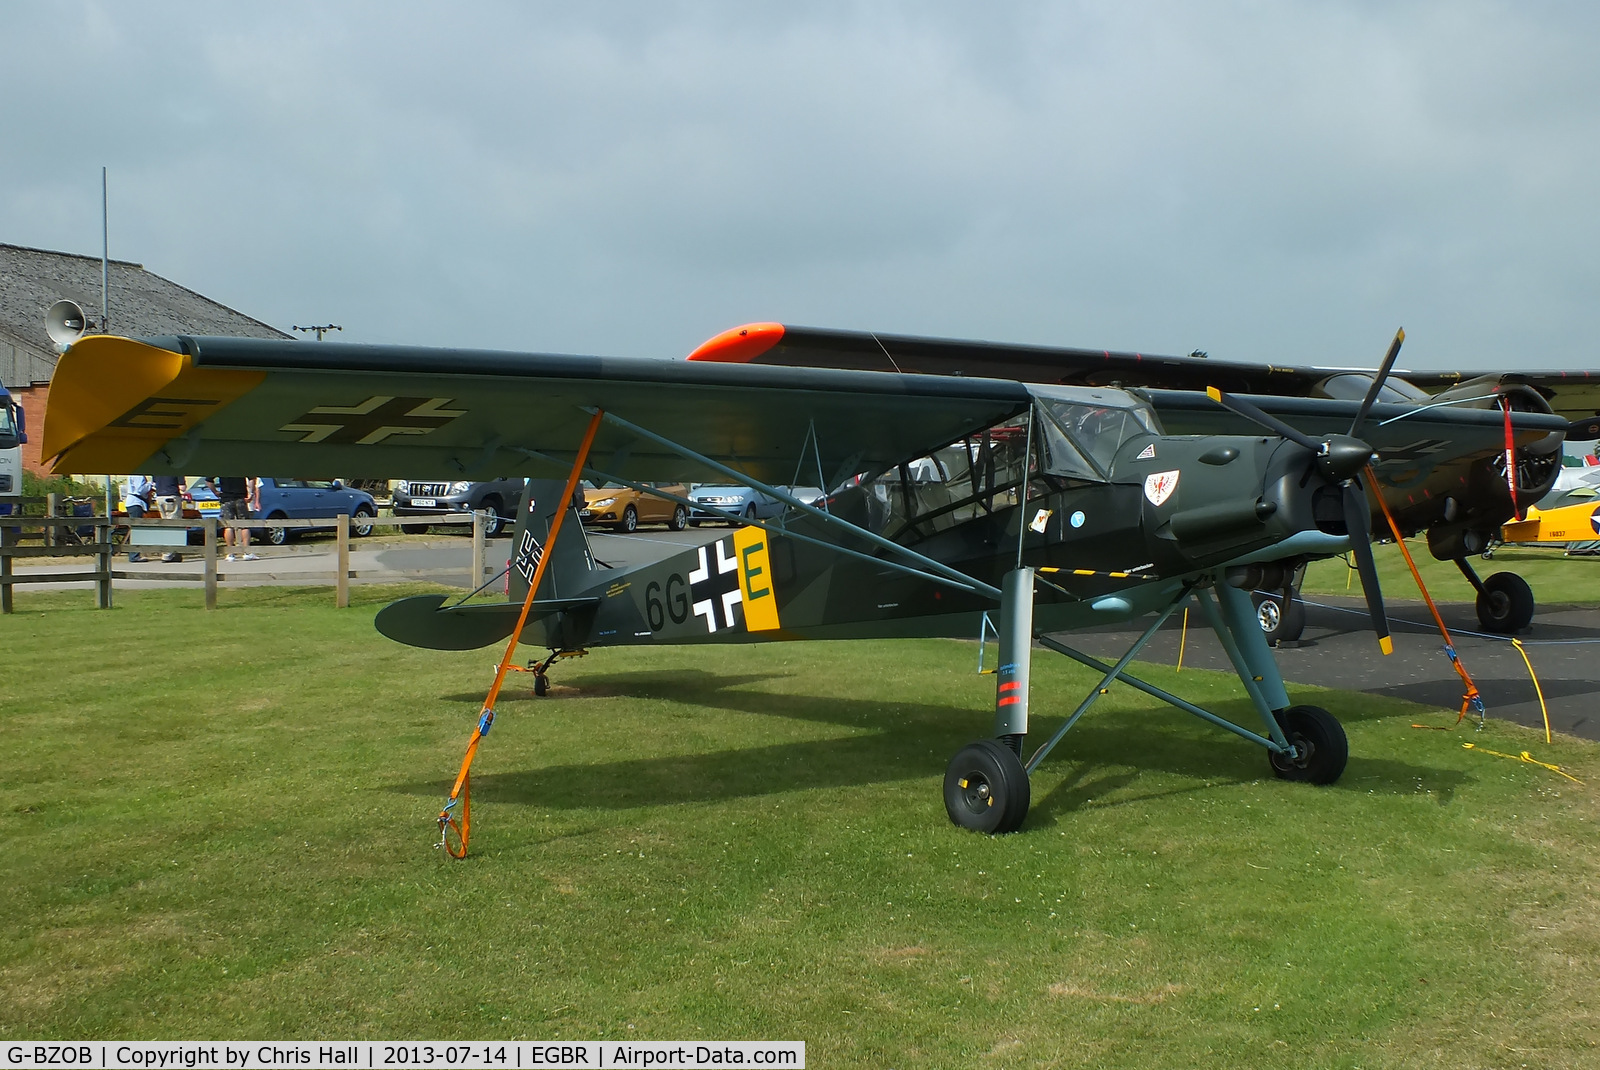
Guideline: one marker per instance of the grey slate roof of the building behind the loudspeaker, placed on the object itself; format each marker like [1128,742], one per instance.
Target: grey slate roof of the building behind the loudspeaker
[142,305]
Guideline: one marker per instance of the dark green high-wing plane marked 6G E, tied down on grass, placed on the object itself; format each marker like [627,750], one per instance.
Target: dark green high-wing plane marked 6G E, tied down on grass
[956,505]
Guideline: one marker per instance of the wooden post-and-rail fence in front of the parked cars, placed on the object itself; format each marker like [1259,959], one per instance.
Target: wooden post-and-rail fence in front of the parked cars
[62,538]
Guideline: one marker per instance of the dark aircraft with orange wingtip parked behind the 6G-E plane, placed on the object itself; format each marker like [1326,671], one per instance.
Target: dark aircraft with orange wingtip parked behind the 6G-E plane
[1460,506]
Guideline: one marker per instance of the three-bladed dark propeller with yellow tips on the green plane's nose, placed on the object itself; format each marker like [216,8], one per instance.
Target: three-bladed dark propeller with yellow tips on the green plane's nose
[1342,460]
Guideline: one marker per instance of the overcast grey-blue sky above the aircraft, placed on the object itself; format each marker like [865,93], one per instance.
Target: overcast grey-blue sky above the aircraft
[1265,182]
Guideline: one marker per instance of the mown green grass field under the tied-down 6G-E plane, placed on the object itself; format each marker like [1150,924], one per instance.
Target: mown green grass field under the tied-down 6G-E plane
[220,826]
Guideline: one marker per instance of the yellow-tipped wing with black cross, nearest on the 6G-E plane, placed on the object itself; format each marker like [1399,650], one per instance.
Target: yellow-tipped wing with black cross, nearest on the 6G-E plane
[231,405]
